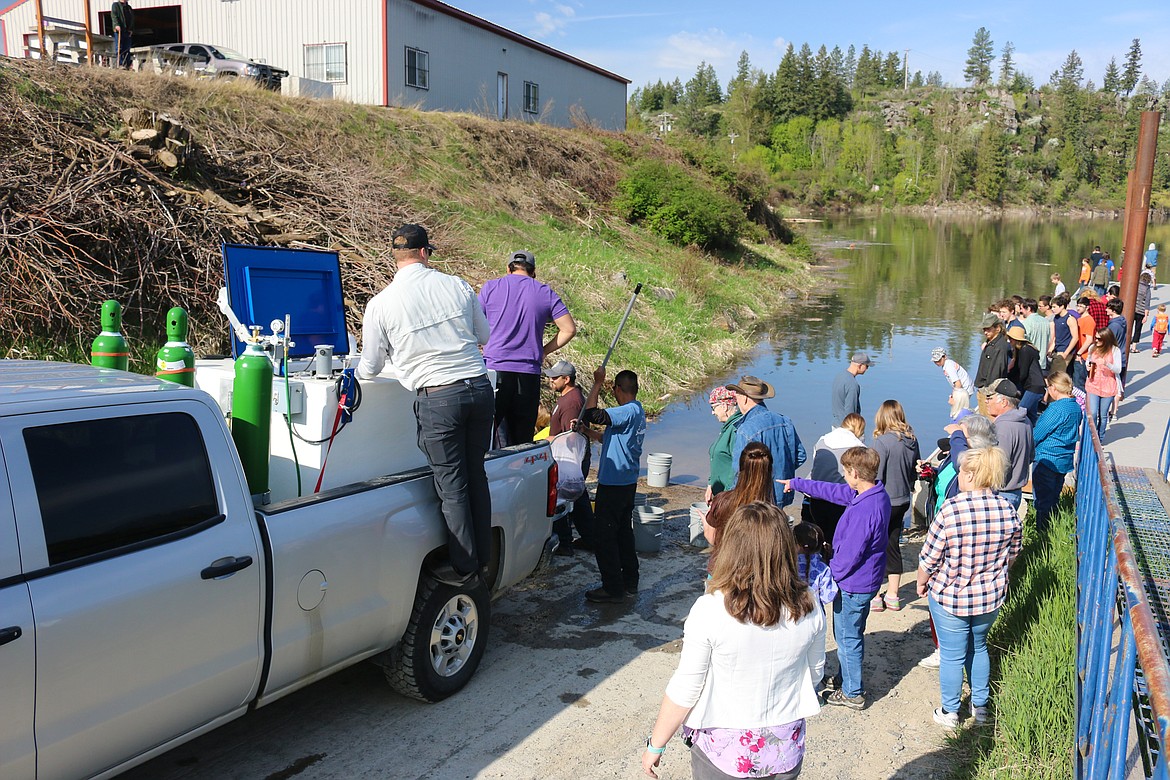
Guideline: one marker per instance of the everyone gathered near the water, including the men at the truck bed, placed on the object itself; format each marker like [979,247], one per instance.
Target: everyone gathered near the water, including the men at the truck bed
[753,666]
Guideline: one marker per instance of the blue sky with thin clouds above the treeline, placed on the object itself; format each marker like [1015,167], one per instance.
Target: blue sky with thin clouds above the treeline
[655,39]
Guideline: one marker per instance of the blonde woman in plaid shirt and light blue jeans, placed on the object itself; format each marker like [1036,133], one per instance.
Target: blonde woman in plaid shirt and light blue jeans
[963,569]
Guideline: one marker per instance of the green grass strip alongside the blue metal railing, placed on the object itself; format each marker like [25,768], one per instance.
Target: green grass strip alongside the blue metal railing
[1034,655]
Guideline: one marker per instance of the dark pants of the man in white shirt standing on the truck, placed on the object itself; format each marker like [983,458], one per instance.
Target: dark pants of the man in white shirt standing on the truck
[455,430]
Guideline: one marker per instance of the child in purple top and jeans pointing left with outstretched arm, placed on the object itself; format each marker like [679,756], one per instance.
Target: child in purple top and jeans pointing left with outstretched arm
[858,564]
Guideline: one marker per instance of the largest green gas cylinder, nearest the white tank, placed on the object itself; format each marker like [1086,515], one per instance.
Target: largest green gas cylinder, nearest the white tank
[252,413]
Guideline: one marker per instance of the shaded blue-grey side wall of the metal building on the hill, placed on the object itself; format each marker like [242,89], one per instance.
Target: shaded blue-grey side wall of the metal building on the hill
[465,65]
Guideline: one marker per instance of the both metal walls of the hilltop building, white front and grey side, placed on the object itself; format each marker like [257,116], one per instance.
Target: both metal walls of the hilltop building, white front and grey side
[465,60]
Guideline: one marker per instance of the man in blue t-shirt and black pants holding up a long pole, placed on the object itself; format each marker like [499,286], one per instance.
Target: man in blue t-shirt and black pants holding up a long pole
[617,485]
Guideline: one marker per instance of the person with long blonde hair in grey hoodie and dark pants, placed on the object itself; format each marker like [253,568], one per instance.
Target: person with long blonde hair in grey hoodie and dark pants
[898,470]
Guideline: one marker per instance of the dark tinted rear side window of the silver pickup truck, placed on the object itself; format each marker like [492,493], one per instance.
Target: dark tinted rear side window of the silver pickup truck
[105,485]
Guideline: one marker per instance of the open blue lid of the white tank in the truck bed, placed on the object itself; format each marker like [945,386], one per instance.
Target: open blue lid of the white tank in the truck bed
[266,284]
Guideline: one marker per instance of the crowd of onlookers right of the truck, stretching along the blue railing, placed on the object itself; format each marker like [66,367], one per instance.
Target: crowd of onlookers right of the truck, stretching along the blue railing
[1047,367]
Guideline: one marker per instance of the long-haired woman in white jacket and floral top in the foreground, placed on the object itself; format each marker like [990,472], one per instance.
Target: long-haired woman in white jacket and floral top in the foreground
[753,651]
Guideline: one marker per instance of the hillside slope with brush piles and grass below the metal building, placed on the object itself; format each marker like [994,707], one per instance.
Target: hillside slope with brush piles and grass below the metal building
[92,206]
